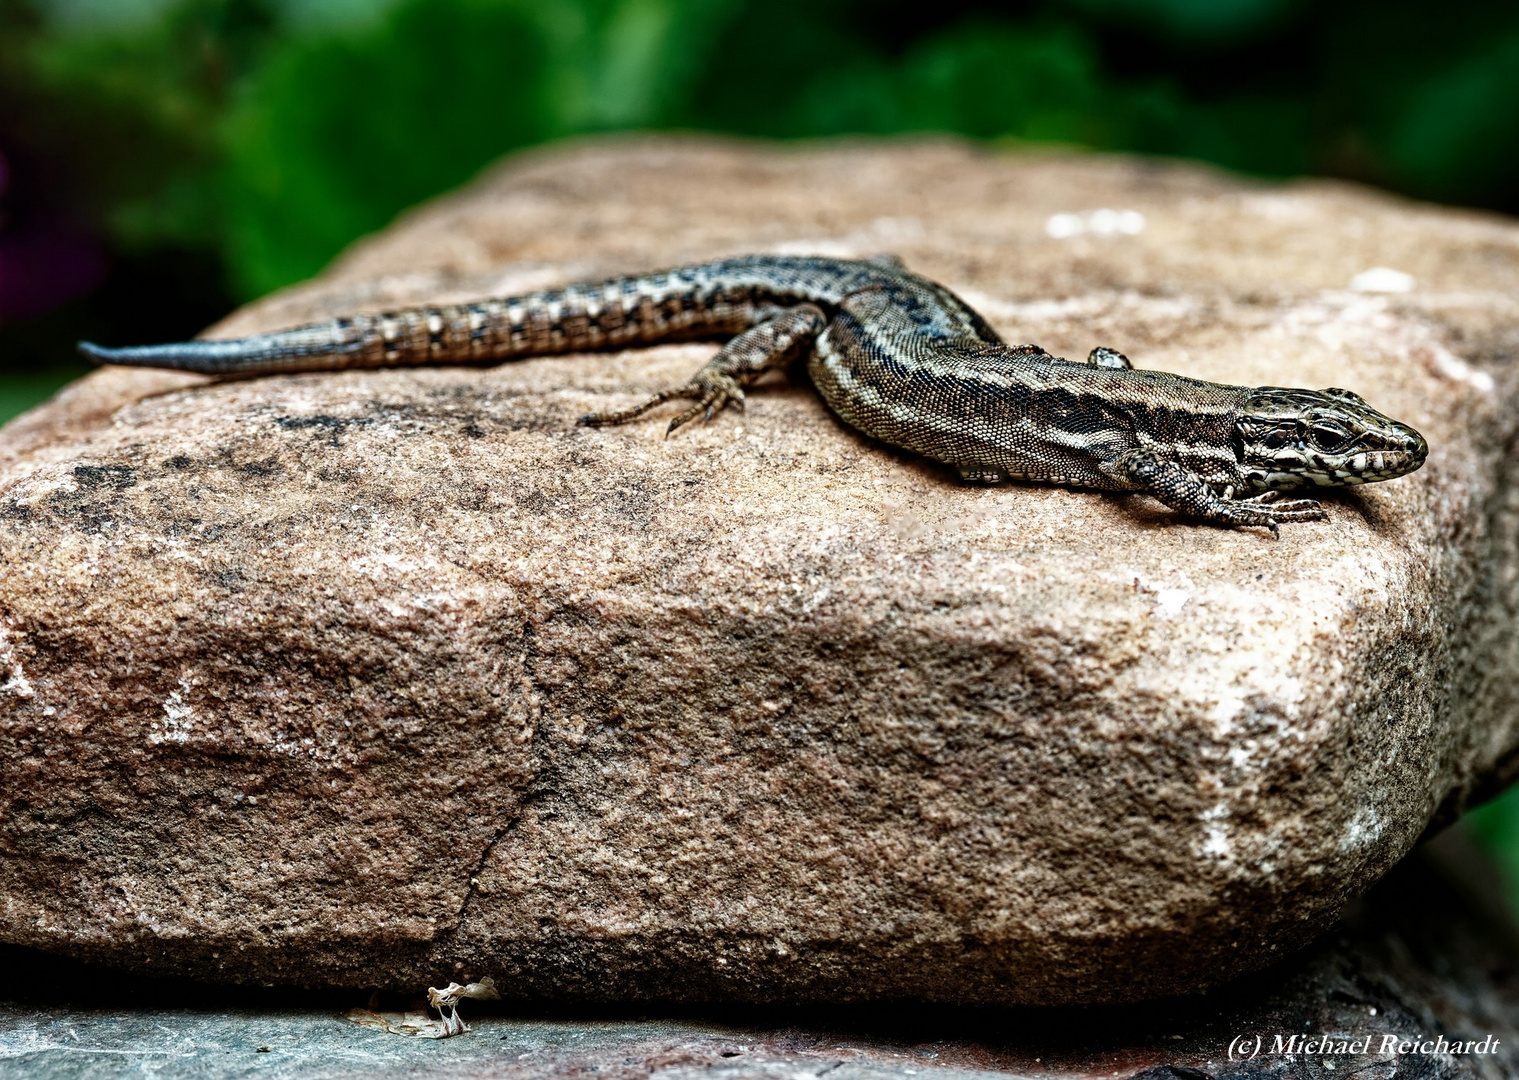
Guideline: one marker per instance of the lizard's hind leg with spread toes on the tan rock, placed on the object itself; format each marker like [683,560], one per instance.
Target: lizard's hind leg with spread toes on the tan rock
[722,381]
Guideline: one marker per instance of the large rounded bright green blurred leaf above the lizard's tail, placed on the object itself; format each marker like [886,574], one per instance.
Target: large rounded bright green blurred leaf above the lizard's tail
[335,136]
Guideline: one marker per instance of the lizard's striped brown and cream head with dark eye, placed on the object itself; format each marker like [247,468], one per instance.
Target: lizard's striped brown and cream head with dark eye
[1330,438]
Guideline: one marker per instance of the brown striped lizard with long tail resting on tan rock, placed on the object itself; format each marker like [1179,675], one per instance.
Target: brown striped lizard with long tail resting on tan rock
[902,359]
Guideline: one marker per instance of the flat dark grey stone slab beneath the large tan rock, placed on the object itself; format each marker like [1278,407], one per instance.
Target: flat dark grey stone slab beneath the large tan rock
[1423,959]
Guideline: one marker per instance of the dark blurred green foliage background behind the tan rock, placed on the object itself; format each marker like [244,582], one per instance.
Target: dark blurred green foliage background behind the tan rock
[166,160]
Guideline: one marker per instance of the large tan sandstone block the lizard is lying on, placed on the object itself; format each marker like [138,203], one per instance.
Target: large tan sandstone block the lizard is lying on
[388,678]
